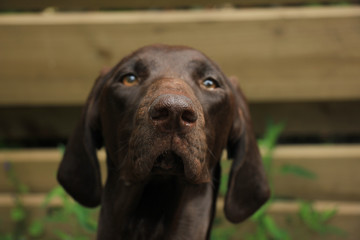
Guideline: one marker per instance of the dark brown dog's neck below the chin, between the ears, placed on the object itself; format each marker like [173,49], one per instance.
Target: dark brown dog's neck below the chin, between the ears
[155,208]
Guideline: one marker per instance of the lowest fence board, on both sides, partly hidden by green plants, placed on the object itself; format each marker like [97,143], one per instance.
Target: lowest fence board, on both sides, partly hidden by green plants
[284,213]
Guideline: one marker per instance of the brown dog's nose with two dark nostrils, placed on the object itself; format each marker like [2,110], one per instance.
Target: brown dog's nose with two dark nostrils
[171,112]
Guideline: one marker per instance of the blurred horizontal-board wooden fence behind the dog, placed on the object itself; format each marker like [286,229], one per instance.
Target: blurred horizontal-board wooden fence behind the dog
[299,65]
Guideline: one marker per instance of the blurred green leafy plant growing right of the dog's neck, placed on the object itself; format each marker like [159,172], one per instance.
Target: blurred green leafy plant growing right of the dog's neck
[266,227]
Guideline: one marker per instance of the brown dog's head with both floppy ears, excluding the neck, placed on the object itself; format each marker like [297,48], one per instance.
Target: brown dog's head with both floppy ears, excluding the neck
[166,110]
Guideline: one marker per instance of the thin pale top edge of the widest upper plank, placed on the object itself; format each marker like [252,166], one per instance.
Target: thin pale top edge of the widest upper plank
[178,16]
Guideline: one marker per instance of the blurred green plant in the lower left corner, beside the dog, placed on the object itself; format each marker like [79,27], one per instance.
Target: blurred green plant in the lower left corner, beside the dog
[68,221]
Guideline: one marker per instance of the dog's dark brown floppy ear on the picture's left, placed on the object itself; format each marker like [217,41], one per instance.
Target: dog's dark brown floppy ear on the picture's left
[79,171]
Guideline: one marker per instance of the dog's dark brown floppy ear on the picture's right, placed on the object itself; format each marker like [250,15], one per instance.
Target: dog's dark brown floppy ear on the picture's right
[248,188]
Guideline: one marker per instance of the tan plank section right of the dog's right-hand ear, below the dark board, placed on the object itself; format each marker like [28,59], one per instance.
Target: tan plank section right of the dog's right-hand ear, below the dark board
[336,168]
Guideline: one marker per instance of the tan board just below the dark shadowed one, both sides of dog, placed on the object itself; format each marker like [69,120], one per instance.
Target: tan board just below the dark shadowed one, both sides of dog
[336,168]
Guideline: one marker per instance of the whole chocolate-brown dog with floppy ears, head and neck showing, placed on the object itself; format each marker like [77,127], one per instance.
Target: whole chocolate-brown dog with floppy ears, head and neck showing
[164,114]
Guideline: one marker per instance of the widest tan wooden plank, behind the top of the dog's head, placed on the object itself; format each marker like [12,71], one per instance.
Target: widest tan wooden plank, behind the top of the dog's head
[301,54]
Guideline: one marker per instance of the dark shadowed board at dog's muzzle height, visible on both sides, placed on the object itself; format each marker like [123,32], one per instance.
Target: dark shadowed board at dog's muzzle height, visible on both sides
[323,120]
